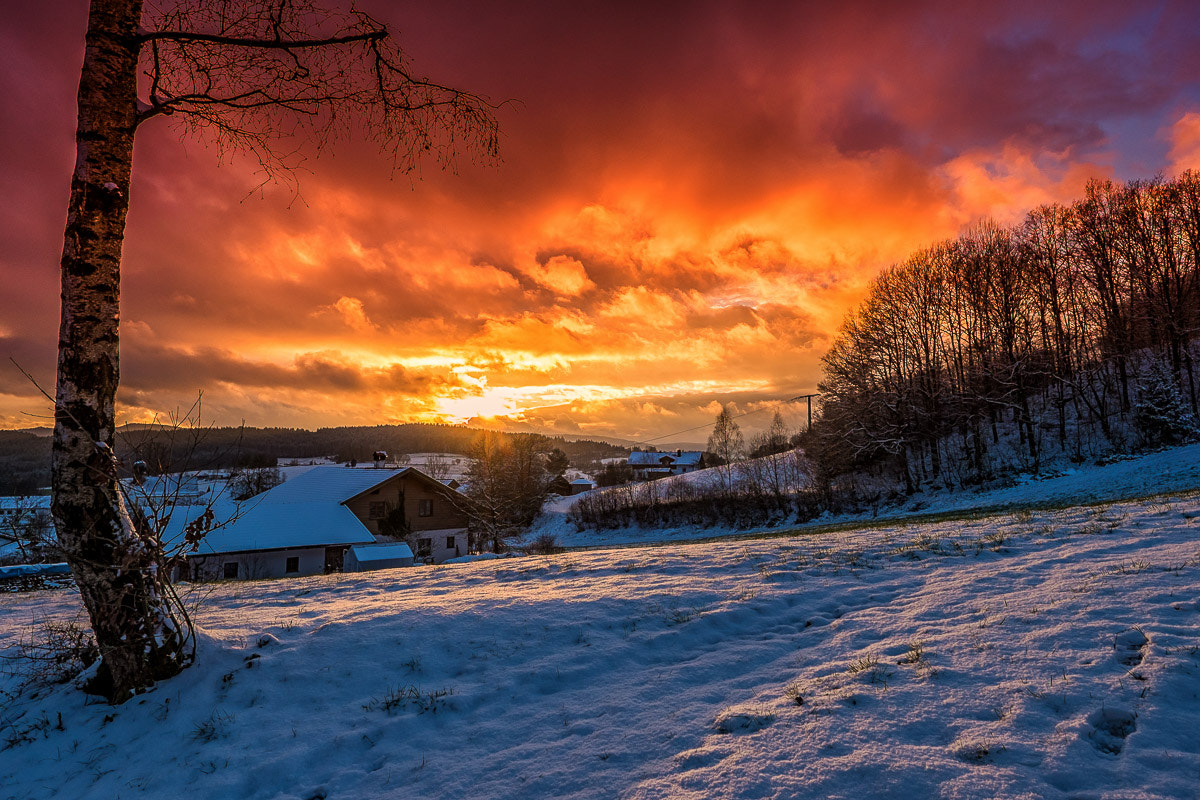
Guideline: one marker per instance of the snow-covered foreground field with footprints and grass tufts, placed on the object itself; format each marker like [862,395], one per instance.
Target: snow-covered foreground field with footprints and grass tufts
[1048,654]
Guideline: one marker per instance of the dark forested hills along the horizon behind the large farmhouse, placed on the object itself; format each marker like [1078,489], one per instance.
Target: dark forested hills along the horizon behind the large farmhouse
[26,458]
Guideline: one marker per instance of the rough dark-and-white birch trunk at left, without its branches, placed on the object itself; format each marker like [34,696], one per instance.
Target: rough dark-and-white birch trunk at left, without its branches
[115,562]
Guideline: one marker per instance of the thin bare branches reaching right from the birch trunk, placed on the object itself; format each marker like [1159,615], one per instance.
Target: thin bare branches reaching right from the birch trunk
[256,75]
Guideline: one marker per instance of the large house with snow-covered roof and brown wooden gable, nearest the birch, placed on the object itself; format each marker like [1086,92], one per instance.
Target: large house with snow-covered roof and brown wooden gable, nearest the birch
[307,525]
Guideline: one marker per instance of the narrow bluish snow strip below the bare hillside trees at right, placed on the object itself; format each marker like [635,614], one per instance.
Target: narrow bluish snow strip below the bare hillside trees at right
[1177,470]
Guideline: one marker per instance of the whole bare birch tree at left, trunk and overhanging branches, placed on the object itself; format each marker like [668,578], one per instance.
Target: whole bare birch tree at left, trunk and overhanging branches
[256,76]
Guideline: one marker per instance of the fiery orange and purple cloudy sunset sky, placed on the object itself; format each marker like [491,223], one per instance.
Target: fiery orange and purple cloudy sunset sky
[691,199]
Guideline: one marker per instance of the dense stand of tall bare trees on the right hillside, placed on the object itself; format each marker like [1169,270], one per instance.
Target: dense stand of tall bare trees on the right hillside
[993,351]
